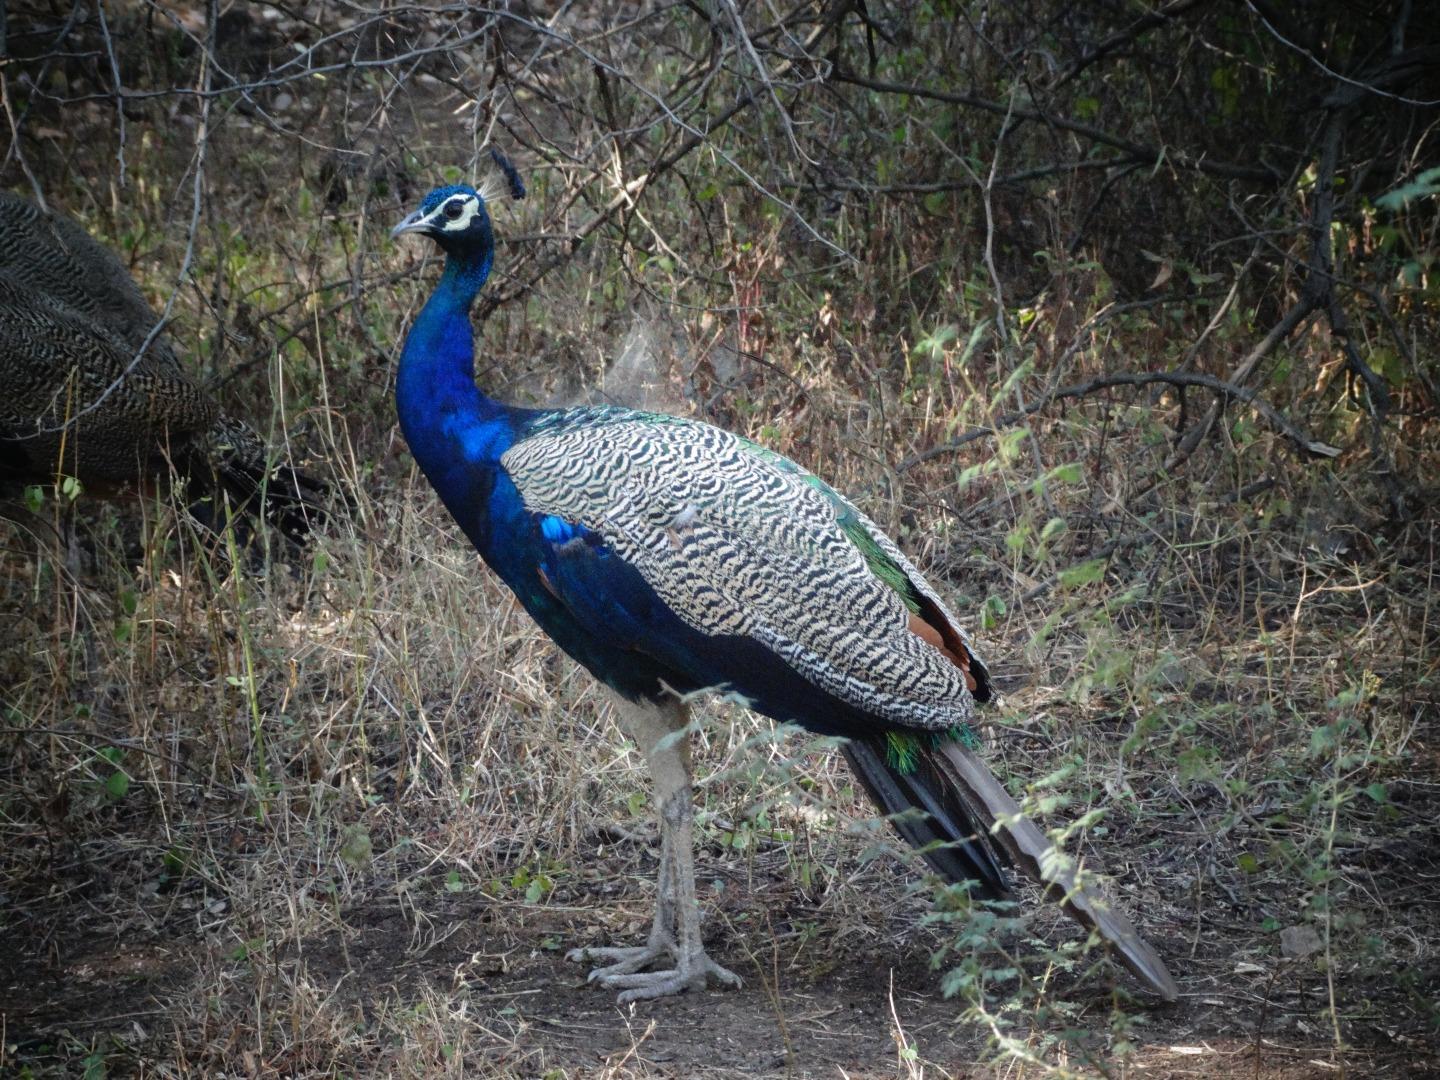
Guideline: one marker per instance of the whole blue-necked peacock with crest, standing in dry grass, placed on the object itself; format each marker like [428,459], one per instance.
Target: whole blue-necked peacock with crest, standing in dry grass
[669,557]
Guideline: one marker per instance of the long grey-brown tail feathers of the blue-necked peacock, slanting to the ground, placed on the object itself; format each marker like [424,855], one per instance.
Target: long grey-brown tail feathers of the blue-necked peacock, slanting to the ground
[1033,853]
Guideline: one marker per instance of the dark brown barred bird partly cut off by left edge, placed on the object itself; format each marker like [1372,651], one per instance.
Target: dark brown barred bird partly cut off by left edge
[94,392]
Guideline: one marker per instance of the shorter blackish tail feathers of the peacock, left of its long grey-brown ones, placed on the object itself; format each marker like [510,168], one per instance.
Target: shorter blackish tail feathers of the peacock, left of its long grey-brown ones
[931,816]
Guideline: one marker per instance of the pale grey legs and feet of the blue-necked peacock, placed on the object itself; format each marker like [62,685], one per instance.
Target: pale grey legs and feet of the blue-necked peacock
[676,932]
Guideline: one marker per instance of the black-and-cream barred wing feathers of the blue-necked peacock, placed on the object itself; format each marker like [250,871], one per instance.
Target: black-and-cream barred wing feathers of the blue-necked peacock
[738,541]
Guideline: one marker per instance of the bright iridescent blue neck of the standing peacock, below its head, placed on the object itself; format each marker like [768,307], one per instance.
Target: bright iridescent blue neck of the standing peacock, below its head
[444,417]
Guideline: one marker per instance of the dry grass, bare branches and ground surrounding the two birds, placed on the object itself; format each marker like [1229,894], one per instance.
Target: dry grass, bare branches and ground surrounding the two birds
[1122,318]
